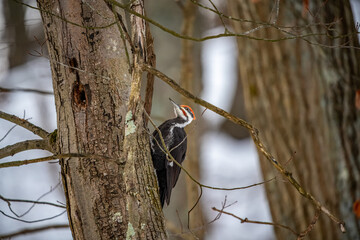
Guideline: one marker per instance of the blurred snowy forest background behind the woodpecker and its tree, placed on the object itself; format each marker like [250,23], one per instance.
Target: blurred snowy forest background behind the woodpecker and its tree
[220,153]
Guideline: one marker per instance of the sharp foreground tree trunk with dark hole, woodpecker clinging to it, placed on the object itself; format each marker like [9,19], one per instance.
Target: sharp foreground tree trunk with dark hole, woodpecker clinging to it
[112,191]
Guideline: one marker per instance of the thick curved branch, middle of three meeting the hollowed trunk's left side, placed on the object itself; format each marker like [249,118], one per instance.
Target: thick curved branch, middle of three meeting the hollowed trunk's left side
[24,146]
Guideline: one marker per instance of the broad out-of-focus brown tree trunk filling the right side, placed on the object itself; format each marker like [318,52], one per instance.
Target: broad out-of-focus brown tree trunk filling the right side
[302,99]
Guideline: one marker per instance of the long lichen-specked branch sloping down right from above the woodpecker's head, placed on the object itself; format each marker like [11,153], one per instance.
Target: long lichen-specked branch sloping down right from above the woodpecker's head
[255,136]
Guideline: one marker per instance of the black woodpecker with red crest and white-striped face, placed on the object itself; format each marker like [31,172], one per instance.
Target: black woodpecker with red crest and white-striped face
[174,137]
